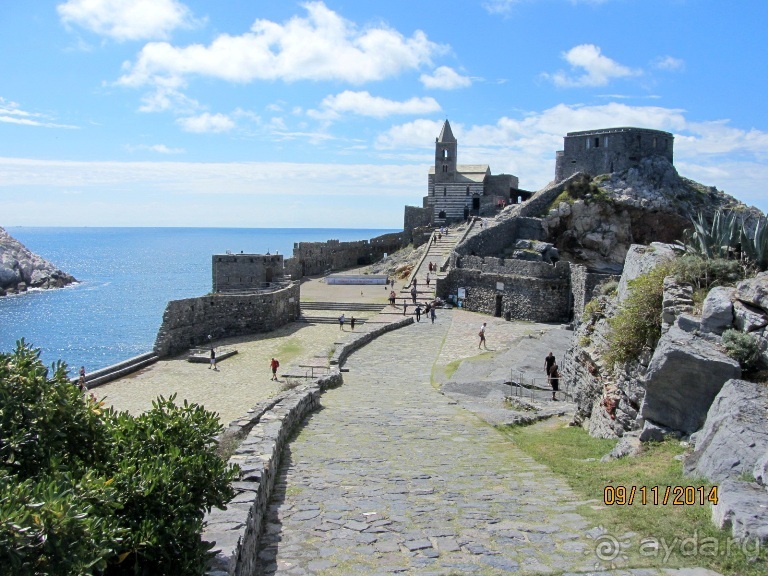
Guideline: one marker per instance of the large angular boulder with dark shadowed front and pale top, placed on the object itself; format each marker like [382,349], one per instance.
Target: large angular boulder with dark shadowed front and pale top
[684,376]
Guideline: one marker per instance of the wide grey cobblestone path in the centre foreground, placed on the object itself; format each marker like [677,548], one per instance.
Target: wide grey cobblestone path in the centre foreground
[391,476]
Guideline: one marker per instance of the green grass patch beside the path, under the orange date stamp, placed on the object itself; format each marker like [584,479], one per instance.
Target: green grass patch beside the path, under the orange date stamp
[575,455]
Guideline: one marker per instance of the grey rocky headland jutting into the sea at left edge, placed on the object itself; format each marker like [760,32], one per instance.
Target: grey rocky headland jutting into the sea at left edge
[21,269]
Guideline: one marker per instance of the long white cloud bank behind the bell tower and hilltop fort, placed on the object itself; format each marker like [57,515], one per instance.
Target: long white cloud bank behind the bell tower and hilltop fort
[713,153]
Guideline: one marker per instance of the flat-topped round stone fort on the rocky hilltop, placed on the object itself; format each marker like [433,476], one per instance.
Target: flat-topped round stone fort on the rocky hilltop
[610,150]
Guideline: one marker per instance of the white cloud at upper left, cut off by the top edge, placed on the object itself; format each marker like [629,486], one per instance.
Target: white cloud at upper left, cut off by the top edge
[127,19]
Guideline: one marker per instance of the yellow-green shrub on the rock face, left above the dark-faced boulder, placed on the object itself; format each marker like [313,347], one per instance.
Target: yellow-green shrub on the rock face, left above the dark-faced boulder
[637,325]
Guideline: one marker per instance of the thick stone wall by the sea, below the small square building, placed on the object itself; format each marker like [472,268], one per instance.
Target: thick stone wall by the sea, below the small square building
[188,323]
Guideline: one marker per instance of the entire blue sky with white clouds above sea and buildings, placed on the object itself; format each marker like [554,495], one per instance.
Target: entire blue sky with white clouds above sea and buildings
[256,113]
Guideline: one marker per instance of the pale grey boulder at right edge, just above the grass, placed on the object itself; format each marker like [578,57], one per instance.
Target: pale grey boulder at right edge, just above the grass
[735,435]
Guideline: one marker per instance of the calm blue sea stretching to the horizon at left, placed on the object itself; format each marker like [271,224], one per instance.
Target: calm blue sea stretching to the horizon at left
[127,275]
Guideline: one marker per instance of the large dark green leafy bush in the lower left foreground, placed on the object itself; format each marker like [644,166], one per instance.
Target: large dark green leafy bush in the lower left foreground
[87,490]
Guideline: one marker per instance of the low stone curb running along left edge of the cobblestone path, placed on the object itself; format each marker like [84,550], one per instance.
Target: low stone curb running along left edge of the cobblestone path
[236,530]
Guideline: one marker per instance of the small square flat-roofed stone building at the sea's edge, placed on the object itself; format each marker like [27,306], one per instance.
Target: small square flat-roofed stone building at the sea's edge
[246,272]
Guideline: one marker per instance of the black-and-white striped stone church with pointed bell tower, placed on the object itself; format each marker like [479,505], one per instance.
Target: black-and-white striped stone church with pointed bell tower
[456,191]
